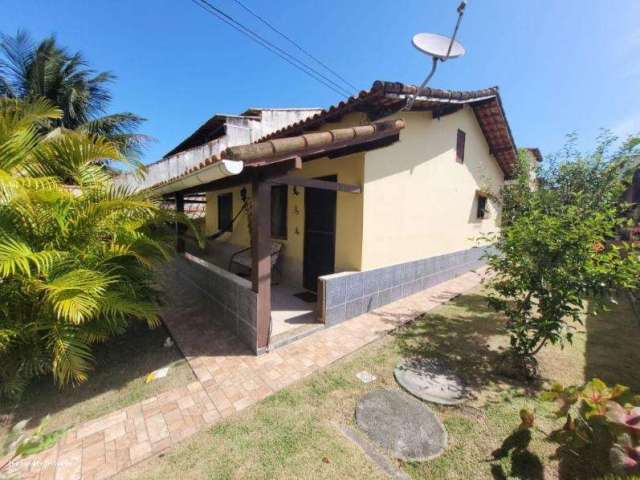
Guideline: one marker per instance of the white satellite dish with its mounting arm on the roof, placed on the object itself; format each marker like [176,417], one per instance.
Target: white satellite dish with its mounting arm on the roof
[439,48]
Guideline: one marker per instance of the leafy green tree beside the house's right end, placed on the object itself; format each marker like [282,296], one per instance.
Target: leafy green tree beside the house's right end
[557,248]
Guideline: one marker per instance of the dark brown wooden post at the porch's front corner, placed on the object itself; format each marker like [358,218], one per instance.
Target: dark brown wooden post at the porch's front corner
[261,257]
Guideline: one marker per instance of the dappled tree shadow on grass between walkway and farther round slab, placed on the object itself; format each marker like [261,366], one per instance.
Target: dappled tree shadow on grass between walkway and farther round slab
[465,335]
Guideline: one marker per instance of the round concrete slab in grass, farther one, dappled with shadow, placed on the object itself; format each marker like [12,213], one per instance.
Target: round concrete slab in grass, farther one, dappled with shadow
[430,380]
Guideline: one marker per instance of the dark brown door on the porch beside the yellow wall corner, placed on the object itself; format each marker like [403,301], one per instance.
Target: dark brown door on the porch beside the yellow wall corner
[319,234]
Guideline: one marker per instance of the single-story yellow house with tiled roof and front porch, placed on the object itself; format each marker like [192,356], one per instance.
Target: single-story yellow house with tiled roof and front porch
[345,210]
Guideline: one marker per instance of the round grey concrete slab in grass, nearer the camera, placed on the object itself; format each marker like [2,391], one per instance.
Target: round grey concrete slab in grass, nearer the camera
[402,425]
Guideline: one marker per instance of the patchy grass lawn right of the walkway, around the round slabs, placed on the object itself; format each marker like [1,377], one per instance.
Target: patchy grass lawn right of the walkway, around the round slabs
[294,434]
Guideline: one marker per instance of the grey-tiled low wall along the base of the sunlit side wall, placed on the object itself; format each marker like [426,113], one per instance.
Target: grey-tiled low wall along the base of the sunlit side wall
[346,295]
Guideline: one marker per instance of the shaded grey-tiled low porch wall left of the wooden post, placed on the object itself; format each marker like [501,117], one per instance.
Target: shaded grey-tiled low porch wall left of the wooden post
[226,298]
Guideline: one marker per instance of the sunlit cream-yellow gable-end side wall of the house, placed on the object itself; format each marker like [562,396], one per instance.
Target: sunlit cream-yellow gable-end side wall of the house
[418,200]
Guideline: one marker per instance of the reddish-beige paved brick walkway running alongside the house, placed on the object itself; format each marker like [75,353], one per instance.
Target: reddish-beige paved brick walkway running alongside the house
[229,379]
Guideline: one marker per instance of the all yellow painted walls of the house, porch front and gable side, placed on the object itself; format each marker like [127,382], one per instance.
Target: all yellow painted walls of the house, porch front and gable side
[417,201]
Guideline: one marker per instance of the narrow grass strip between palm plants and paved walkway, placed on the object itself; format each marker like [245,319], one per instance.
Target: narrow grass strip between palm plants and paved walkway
[118,381]
